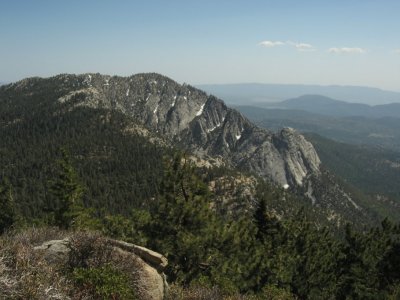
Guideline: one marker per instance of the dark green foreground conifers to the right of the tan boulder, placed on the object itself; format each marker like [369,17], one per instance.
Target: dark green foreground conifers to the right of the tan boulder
[272,258]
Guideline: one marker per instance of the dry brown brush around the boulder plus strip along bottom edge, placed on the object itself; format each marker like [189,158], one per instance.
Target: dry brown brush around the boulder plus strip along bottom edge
[26,274]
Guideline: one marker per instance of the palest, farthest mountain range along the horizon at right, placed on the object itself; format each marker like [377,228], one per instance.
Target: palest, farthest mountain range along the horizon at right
[257,94]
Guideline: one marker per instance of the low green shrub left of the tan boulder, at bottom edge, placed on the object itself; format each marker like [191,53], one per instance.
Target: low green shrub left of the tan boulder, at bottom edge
[105,281]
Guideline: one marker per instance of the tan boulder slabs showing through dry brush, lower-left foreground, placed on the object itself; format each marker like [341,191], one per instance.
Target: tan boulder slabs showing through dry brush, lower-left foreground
[150,281]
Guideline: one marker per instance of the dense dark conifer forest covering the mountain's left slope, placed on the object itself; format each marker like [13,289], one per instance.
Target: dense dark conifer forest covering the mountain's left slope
[120,169]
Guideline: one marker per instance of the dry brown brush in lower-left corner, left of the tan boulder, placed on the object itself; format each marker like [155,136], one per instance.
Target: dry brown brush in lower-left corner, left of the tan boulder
[26,274]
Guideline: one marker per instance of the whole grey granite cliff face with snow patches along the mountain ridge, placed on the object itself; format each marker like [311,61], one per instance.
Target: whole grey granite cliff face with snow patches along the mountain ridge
[190,118]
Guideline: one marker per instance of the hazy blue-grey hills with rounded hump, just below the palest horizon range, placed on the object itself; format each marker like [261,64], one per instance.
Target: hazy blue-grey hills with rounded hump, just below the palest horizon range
[359,130]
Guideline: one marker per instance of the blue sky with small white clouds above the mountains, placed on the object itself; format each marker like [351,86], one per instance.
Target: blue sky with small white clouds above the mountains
[325,42]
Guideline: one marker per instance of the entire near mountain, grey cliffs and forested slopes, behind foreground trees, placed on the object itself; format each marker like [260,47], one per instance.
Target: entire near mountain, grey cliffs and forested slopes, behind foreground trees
[116,144]
